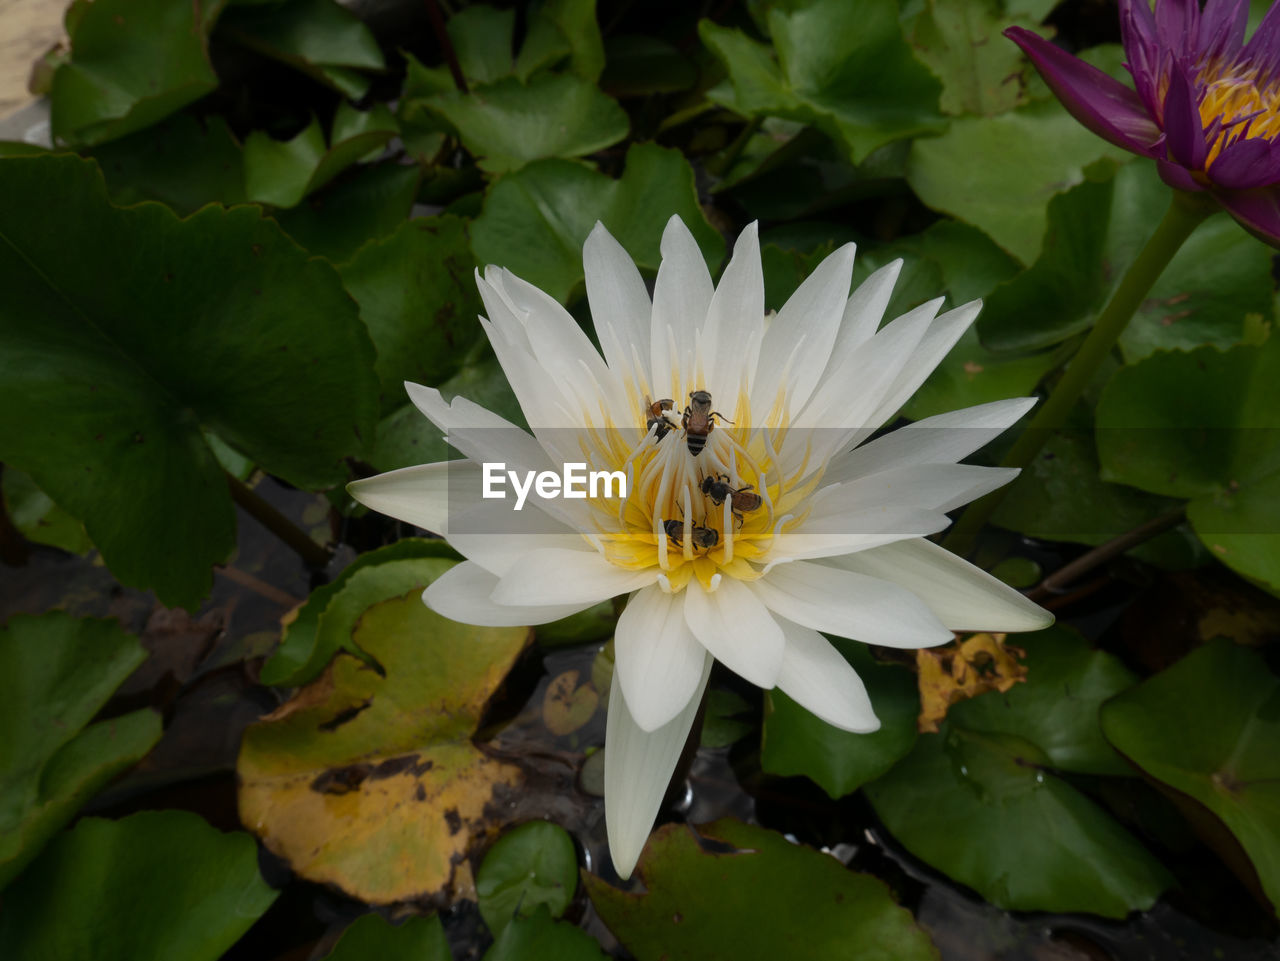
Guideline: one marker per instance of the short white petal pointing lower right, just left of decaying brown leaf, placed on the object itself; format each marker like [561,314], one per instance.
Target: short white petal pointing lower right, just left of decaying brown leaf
[817,676]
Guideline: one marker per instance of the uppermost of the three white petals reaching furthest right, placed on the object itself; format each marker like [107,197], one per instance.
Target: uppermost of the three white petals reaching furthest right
[944,438]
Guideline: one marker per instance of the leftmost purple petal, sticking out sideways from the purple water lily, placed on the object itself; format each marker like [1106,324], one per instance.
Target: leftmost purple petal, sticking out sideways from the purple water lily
[1103,104]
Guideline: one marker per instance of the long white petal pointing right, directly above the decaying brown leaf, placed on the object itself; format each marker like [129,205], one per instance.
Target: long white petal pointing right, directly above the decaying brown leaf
[966,598]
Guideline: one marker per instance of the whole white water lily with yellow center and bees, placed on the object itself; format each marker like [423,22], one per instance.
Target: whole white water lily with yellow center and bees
[836,543]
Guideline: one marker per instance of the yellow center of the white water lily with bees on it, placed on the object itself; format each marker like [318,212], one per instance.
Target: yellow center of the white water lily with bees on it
[698,510]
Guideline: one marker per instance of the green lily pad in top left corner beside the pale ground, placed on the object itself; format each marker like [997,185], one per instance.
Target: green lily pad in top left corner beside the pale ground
[132,63]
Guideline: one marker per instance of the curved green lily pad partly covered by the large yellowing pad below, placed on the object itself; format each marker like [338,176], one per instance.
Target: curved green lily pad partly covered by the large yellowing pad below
[305,648]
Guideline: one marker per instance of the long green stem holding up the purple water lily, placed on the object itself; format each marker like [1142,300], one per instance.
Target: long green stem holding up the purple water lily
[1186,212]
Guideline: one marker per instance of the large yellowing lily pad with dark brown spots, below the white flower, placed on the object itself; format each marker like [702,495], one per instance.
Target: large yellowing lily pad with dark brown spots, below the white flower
[372,782]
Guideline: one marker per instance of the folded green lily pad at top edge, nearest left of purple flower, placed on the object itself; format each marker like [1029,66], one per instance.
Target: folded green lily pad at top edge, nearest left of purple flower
[842,67]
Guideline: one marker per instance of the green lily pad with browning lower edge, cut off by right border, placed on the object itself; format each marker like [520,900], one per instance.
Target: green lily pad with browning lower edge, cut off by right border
[1209,729]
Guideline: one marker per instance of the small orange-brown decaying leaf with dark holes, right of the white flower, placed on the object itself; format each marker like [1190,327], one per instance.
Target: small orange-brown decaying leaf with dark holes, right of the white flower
[964,670]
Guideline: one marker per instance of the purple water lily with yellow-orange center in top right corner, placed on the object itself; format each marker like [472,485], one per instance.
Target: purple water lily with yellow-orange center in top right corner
[1206,106]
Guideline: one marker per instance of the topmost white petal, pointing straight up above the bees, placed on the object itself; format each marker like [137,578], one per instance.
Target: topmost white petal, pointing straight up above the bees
[682,296]
